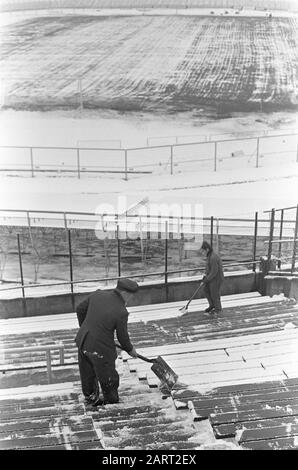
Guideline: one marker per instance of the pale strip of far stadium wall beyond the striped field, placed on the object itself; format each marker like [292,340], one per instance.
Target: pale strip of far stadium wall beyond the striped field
[19,5]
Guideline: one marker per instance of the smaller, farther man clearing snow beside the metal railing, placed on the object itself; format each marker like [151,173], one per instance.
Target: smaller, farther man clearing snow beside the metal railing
[213,279]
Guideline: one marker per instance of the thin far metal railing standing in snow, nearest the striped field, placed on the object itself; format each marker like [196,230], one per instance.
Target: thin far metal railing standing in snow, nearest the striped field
[77,161]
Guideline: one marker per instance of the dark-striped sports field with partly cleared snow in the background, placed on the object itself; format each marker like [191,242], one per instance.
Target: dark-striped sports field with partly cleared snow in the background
[161,63]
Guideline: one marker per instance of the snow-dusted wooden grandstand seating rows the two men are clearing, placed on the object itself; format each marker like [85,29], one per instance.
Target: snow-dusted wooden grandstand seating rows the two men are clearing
[237,374]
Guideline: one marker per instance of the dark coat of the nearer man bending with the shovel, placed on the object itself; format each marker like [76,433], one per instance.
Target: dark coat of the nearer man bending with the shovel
[99,316]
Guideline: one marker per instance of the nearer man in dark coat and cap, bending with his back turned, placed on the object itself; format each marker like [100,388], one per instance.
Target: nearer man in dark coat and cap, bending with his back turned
[99,316]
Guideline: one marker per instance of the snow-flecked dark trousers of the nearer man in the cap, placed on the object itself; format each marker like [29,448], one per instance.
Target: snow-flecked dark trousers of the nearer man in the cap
[94,370]
